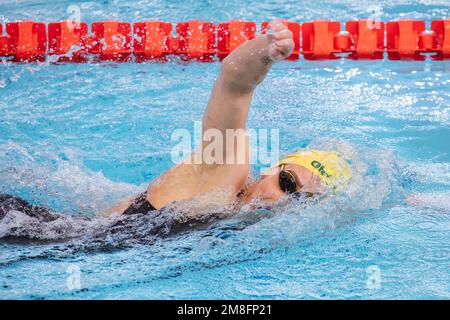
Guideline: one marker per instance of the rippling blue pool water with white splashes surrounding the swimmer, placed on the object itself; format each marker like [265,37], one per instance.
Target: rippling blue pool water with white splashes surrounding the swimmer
[80,137]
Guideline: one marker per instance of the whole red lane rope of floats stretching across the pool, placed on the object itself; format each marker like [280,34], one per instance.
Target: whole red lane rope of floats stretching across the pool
[65,41]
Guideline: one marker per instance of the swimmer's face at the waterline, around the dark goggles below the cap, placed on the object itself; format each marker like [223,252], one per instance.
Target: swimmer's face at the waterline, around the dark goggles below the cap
[268,188]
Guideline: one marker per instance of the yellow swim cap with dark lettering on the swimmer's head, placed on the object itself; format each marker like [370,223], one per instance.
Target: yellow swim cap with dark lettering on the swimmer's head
[332,169]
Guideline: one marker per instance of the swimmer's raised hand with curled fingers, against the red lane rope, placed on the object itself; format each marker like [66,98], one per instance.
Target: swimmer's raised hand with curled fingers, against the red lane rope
[281,41]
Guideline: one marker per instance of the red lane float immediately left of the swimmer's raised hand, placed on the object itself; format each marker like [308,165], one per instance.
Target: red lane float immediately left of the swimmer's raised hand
[232,34]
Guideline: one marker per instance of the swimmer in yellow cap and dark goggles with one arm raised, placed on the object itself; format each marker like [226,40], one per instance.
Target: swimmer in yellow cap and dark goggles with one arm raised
[214,183]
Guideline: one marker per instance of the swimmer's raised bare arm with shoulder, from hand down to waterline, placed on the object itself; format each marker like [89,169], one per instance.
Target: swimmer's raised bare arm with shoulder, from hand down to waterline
[227,108]
